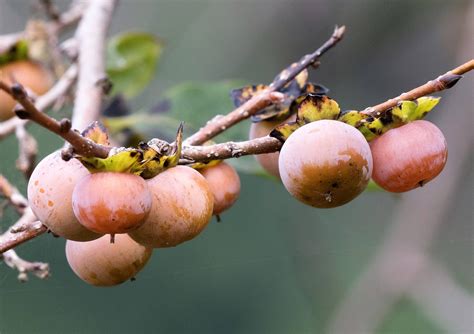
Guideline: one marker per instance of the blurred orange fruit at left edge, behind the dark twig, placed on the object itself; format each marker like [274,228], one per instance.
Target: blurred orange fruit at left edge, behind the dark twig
[31,75]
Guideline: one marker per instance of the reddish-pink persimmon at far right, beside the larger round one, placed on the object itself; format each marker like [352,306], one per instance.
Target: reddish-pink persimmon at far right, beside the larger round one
[409,156]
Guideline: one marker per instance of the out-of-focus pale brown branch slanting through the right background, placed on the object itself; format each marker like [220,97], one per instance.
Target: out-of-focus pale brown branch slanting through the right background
[400,264]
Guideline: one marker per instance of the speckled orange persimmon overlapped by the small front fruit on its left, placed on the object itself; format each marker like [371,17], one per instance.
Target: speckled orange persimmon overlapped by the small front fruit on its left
[182,207]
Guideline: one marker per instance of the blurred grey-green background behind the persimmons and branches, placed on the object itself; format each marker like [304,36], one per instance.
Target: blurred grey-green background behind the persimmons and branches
[274,265]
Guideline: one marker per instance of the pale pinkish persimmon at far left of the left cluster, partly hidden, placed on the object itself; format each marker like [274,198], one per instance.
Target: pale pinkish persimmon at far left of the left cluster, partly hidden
[50,196]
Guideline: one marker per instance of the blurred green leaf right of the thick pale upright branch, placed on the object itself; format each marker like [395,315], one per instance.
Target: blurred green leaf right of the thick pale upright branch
[131,62]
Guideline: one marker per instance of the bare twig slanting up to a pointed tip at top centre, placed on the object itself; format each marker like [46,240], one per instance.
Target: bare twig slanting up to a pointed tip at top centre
[265,98]
